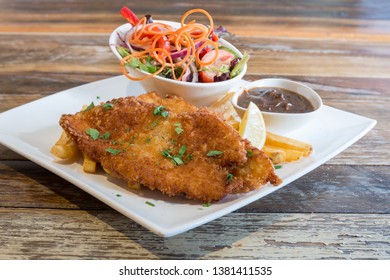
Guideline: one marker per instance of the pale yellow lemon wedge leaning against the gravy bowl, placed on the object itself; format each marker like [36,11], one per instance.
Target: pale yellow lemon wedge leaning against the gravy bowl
[252,126]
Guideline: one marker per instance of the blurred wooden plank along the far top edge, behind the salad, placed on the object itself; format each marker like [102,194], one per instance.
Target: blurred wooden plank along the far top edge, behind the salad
[282,19]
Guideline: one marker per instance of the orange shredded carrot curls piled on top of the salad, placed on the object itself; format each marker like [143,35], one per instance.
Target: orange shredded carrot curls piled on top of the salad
[188,36]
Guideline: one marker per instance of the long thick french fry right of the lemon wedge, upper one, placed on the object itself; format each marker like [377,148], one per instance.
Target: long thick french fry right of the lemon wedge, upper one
[287,143]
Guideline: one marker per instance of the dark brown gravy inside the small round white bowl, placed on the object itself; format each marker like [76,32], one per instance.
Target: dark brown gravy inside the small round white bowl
[277,100]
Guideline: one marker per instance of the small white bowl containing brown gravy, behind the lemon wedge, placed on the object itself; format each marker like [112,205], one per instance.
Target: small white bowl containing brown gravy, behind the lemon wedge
[283,122]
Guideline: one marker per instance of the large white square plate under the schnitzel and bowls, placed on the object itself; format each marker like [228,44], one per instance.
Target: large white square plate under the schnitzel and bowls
[32,129]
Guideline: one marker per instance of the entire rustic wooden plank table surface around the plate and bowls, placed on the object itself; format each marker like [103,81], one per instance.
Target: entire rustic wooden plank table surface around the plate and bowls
[341,210]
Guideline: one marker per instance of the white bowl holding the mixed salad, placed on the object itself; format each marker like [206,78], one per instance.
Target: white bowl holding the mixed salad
[199,94]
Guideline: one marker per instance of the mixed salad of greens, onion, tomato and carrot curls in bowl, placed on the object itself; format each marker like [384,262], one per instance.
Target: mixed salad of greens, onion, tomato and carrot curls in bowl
[189,53]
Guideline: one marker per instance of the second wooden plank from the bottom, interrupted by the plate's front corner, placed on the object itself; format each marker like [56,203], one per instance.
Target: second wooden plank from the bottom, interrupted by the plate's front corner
[328,189]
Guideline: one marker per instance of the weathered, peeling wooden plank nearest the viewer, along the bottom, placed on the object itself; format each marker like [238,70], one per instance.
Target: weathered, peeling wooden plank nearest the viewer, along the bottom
[64,234]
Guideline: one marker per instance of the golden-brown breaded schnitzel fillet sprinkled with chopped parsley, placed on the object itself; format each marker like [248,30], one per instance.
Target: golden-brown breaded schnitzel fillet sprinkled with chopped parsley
[169,145]
